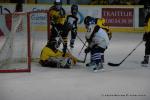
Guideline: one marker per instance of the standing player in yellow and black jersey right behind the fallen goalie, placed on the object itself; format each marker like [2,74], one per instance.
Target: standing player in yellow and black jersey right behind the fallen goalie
[58,29]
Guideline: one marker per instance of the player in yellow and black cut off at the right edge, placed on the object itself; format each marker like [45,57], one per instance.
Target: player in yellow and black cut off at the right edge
[146,36]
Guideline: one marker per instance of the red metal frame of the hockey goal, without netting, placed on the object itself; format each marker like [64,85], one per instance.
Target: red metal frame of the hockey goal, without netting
[29,57]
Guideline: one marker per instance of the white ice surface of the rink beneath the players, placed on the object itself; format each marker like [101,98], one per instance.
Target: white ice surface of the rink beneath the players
[129,81]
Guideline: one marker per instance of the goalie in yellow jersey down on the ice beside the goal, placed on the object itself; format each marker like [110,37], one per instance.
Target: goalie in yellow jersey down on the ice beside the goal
[53,57]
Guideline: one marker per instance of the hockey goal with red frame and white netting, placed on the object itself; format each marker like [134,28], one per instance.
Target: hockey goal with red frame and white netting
[22,36]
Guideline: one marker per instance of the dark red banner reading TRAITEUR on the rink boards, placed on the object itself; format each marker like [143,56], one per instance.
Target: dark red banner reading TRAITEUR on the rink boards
[120,17]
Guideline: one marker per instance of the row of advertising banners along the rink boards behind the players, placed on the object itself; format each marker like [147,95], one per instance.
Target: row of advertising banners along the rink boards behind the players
[116,16]
